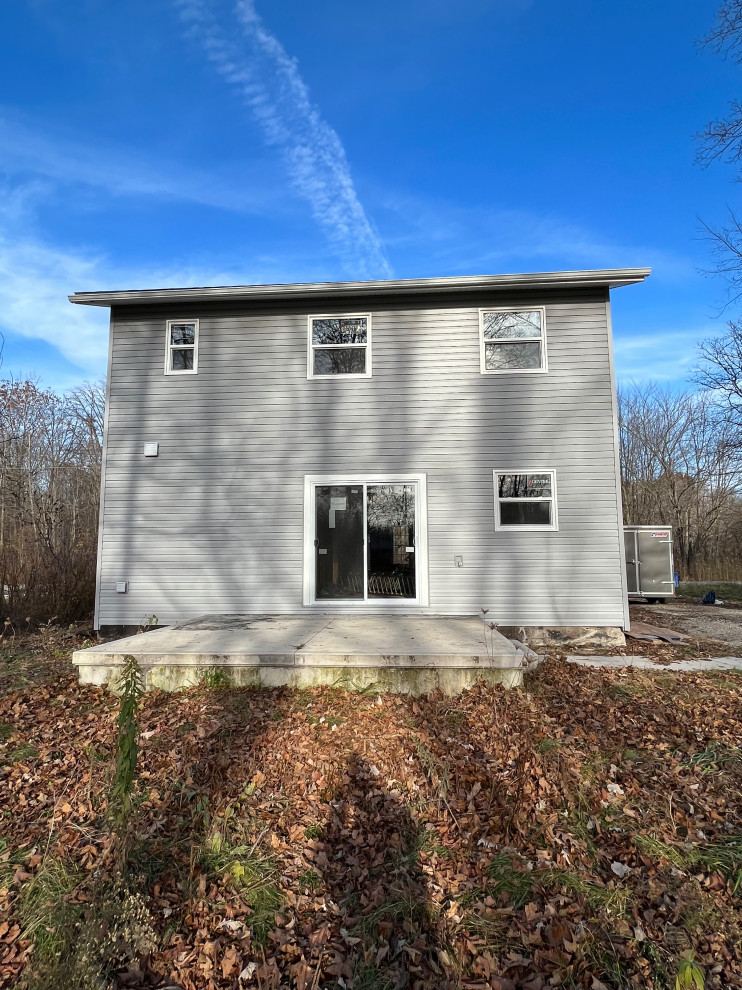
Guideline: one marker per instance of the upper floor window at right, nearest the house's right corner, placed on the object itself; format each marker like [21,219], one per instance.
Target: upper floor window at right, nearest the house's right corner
[512,340]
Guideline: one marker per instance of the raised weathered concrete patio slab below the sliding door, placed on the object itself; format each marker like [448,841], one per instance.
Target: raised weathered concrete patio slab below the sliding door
[412,654]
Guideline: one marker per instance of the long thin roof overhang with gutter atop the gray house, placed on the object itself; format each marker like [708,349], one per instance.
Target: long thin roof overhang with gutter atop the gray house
[610,278]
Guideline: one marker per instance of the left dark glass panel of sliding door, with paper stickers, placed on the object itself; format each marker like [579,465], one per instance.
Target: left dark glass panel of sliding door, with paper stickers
[339,541]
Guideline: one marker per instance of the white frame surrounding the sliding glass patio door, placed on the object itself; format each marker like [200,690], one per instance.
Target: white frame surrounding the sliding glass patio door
[311,482]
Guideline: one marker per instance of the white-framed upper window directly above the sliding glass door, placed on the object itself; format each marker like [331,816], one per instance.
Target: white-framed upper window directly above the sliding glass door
[339,345]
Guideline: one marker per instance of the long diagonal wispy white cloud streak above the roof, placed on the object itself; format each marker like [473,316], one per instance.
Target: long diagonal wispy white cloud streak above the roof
[268,80]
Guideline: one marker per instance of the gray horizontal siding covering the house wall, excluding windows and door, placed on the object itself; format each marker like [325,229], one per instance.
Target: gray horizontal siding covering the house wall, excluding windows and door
[215,522]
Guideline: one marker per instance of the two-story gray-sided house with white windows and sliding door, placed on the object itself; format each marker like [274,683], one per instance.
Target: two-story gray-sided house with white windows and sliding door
[423,446]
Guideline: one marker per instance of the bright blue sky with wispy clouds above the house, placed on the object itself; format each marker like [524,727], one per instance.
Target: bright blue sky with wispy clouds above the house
[193,142]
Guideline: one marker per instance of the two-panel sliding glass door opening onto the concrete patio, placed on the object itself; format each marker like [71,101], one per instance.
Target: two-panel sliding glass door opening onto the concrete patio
[364,541]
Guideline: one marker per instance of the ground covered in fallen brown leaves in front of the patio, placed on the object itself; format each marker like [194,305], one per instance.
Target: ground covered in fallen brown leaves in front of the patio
[582,832]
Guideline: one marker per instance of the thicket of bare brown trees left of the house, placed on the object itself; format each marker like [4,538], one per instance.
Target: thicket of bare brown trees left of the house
[50,450]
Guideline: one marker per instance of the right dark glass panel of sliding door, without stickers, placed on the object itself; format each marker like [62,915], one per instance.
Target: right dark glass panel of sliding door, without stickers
[391,541]
